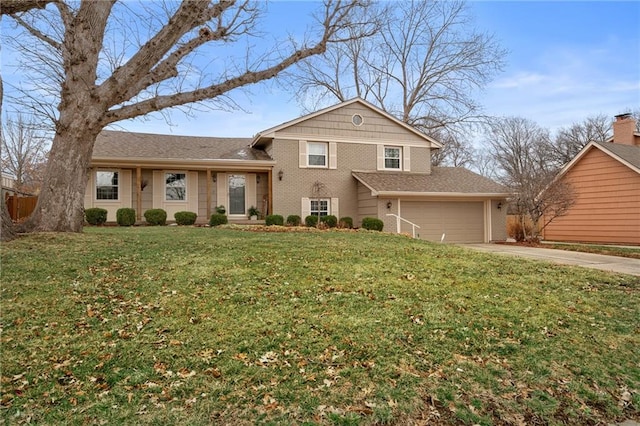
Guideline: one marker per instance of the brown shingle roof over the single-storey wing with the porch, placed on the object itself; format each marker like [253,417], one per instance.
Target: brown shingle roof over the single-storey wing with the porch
[114,144]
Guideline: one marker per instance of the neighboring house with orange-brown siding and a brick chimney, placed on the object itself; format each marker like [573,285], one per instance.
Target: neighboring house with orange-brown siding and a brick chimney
[606,181]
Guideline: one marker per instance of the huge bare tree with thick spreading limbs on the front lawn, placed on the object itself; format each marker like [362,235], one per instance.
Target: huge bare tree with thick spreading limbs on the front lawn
[98,83]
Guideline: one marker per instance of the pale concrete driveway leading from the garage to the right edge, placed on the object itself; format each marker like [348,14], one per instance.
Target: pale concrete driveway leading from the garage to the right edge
[616,264]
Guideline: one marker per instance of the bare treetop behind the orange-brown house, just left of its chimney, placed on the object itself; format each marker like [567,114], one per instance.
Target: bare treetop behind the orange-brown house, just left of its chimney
[570,140]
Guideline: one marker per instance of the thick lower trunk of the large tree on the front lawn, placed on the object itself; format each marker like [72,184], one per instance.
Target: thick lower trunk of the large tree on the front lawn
[60,205]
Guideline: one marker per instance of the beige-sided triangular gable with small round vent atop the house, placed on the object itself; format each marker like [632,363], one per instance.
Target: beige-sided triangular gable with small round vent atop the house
[336,122]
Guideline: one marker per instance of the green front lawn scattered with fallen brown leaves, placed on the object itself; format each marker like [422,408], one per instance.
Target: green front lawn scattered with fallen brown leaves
[183,325]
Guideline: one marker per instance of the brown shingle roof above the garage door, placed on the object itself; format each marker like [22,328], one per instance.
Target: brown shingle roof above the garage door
[441,179]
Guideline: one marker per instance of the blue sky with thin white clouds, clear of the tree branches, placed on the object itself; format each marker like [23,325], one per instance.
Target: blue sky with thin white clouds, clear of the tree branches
[567,60]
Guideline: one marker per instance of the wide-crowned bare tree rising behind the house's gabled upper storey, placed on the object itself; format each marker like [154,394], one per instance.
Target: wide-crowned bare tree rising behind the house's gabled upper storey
[422,65]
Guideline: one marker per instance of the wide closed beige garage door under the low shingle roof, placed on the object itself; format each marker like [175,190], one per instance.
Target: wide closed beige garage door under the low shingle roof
[459,221]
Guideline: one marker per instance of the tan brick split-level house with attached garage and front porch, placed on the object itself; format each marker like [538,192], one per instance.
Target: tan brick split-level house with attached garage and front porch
[351,159]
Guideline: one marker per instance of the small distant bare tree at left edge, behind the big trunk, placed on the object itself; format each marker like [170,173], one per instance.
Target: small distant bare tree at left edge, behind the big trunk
[24,152]
